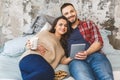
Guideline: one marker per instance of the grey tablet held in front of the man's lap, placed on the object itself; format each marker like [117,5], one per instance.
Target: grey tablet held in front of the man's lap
[75,48]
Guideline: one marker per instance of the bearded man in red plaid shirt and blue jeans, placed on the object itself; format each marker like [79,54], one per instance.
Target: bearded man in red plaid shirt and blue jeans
[90,64]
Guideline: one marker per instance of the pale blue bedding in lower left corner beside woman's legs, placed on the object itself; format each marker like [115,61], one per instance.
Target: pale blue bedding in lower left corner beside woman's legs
[9,68]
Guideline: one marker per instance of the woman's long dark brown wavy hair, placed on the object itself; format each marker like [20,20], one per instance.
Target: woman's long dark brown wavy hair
[65,36]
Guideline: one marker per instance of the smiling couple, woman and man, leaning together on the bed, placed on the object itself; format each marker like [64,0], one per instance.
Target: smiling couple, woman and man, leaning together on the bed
[53,46]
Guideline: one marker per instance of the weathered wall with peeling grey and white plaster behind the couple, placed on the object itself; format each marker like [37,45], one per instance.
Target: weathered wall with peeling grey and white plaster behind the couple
[16,16]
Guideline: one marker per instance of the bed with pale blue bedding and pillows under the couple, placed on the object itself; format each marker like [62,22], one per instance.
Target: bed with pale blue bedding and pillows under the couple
[11,51]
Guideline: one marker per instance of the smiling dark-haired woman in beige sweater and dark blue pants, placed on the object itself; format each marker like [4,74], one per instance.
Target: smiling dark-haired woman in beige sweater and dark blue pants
[40,66]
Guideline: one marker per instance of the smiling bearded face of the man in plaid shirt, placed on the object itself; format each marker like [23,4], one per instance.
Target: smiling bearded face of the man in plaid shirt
[70,13]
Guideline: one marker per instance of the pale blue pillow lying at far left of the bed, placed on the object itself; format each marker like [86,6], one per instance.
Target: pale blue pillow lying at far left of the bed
[15,47]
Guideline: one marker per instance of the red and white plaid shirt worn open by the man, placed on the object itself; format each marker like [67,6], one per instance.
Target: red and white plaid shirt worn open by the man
[90,31]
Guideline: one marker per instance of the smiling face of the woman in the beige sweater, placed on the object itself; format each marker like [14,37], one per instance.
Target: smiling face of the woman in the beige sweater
[61,27]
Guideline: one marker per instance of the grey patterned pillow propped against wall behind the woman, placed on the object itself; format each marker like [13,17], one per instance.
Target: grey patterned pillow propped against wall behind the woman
[38,23]
